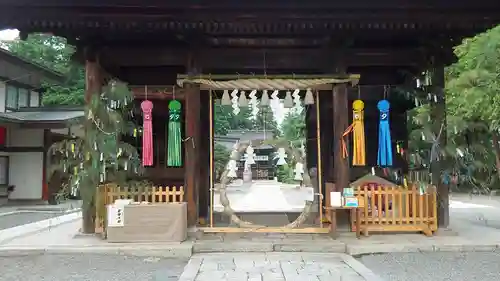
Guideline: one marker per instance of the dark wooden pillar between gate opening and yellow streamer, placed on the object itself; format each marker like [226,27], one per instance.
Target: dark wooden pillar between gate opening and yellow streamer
[340,124]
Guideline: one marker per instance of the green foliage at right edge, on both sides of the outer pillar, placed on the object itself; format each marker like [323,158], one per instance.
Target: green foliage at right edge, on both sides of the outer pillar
[471,152]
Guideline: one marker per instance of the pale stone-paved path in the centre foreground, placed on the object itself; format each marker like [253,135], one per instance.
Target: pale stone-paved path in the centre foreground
[275,267]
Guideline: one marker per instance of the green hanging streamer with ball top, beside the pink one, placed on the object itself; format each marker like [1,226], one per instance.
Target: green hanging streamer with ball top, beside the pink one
[174,156]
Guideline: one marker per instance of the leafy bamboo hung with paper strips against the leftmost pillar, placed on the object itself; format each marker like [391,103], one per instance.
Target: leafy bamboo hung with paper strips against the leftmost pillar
[100,156]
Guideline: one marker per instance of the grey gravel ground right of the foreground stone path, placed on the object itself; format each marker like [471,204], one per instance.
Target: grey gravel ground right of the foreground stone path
[483,266]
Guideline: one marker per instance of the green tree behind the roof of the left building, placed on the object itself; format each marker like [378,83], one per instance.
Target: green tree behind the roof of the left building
[54,53]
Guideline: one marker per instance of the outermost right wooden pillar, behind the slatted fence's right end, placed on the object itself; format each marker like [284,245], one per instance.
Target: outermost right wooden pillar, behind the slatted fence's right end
[438,115]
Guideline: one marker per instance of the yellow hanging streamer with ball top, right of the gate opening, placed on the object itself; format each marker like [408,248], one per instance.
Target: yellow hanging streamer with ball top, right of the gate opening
[357,128]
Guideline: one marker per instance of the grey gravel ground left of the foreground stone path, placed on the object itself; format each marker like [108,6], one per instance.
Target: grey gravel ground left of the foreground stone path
[89,268]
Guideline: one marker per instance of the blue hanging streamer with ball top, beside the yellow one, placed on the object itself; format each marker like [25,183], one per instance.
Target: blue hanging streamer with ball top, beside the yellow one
[384,157]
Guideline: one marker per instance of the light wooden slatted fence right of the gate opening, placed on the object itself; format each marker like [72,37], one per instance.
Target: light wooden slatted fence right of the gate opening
[398,209]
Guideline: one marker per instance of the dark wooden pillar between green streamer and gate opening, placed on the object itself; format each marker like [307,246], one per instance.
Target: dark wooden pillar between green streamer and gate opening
[191,146]
